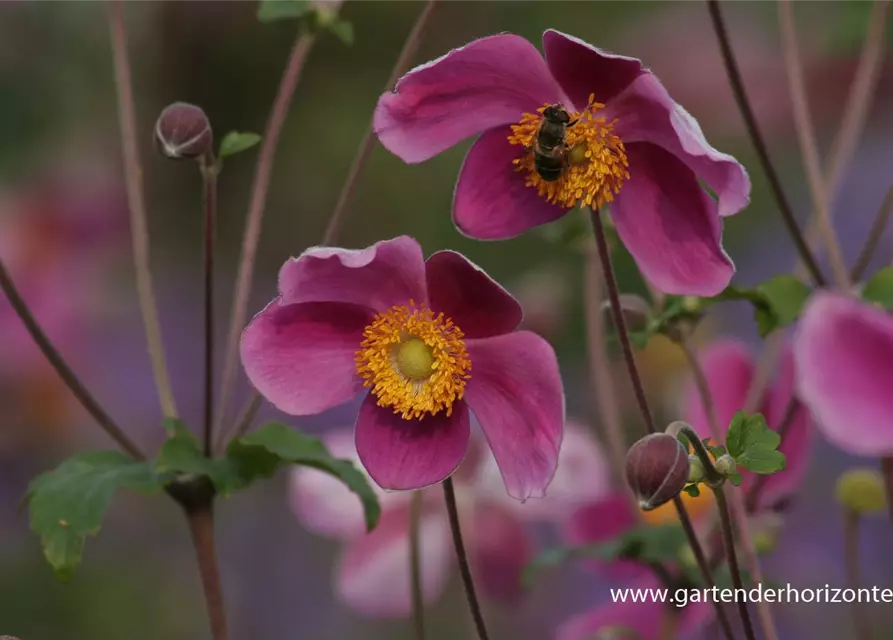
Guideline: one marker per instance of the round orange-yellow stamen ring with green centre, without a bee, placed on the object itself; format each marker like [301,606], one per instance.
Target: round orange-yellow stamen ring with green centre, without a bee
[414,361]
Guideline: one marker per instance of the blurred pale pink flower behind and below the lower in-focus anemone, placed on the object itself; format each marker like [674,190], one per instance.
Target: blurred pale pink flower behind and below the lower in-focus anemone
[493,525]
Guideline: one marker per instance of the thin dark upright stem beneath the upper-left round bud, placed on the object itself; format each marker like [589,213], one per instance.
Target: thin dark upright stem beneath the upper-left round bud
[209,177]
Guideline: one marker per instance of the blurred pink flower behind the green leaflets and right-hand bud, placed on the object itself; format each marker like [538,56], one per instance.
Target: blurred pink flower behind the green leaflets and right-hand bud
[729,369]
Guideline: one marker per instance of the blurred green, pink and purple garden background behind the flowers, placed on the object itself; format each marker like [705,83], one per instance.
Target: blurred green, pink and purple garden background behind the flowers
[64,235]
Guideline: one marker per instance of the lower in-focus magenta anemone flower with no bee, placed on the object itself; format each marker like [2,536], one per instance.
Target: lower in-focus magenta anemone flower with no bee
[432,341]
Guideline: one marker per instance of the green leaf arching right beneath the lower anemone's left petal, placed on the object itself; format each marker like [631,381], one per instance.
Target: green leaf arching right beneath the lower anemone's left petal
[259,455]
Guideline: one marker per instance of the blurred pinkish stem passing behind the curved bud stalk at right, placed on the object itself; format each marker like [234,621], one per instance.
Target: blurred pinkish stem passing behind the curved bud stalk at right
[737,503]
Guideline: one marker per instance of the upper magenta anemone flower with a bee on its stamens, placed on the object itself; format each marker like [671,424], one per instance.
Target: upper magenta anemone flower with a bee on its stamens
[627,144]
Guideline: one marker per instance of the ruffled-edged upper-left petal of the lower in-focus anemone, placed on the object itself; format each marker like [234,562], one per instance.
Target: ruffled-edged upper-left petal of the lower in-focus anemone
[388,273]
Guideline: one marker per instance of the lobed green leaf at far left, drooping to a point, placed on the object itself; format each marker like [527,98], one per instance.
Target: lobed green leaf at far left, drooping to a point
[68,503]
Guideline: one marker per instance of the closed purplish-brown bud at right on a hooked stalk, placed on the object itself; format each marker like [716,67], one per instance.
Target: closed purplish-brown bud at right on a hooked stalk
[657,468]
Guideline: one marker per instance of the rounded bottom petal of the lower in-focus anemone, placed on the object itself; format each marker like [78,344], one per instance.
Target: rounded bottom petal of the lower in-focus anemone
[410,454]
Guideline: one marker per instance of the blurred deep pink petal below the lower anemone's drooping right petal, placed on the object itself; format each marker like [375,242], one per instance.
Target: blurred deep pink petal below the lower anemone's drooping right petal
[500,548]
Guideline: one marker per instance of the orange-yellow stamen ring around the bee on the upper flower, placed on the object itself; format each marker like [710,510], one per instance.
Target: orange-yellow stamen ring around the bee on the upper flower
[597,162]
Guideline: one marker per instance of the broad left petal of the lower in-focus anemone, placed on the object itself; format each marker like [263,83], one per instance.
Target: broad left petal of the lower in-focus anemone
[301,357]
